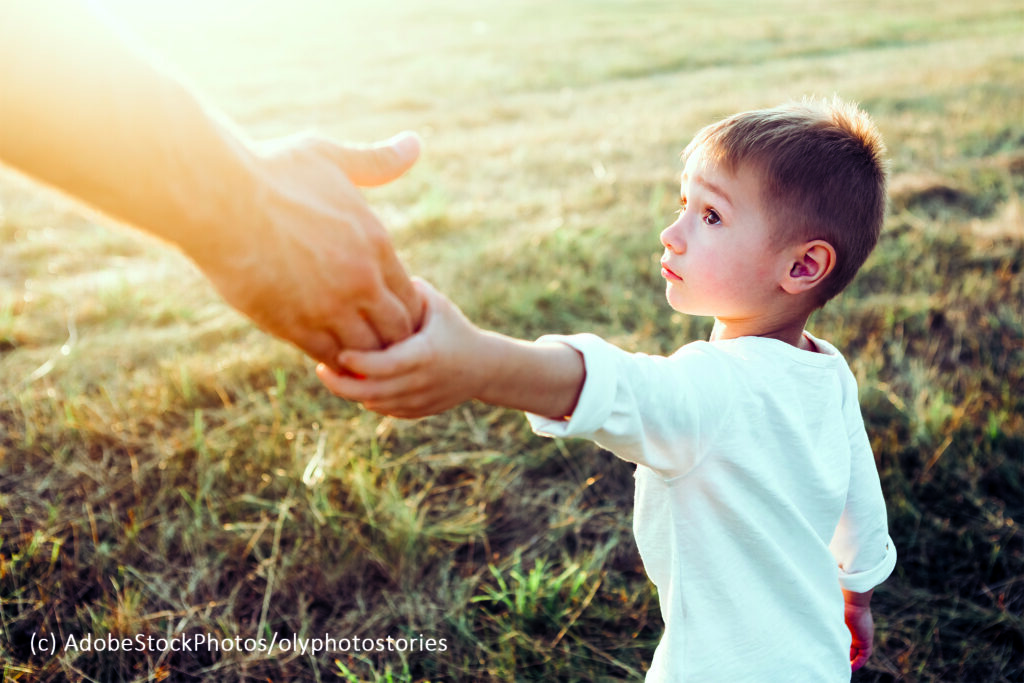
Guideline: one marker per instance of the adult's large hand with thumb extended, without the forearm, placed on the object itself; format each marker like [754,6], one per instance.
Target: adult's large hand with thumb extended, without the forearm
[320,270]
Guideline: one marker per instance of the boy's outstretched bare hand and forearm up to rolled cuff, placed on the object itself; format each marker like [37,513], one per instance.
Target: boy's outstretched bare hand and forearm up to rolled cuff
[451,361]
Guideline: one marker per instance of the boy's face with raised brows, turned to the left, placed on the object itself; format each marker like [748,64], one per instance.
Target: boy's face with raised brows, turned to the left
[720,257]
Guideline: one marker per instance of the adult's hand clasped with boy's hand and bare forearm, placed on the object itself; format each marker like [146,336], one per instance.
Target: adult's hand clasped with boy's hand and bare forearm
[320,271]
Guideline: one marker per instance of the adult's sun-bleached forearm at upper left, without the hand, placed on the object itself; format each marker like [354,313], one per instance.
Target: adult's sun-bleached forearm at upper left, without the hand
[87,112]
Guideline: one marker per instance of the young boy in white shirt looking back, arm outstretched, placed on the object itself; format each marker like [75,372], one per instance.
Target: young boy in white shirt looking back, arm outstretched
[759,515]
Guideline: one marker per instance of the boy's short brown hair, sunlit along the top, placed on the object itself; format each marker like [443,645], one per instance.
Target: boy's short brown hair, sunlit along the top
[823,164]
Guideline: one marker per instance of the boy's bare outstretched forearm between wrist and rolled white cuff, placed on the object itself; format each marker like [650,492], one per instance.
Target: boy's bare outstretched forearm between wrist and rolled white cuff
[541,378]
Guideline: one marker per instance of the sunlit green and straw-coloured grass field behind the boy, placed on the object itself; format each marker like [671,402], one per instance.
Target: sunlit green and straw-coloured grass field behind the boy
[168,472]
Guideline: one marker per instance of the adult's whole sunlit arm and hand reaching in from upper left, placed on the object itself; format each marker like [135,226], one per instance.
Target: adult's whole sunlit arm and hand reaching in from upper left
[279,228]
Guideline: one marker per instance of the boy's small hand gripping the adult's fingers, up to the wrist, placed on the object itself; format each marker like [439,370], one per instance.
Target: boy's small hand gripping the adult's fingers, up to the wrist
[442,366]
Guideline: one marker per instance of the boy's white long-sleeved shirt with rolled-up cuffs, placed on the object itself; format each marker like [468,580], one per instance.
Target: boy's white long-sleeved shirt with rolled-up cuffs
[757,499]
